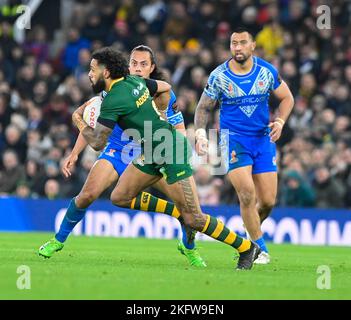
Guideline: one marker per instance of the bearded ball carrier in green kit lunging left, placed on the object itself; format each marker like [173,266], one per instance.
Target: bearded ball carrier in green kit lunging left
[166,153]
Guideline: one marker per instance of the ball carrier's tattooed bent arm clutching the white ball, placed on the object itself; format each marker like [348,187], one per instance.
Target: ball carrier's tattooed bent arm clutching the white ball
[97,137]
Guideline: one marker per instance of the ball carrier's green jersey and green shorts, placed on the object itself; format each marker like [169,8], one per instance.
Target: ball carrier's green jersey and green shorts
[129,103]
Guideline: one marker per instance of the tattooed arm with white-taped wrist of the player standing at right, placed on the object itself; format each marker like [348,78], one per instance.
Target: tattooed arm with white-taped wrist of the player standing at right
[203,108]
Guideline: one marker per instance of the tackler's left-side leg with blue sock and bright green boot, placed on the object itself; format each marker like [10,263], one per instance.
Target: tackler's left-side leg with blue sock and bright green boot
[100,177]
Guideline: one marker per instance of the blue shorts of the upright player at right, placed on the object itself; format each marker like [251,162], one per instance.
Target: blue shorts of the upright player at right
[258,152]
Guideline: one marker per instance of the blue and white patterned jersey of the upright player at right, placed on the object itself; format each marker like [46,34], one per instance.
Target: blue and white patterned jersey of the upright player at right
[243,99]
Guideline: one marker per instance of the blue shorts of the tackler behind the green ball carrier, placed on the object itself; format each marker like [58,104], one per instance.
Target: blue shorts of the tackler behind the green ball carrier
[118,156]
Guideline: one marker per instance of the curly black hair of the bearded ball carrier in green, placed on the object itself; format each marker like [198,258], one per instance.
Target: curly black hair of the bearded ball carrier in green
[113,60]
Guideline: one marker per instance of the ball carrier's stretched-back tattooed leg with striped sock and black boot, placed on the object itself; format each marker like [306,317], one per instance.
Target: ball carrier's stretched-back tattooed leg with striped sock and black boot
[186,200]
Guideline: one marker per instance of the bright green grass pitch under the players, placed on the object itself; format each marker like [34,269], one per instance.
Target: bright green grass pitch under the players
[115,268]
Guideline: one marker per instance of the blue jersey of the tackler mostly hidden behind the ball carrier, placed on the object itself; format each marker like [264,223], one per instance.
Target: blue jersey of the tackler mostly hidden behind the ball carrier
[119,139]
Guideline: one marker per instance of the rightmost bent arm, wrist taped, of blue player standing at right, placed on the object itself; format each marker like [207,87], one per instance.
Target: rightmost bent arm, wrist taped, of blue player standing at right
[284,95]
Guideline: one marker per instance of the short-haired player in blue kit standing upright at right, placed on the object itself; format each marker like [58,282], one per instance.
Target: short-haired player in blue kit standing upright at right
[241,86]
